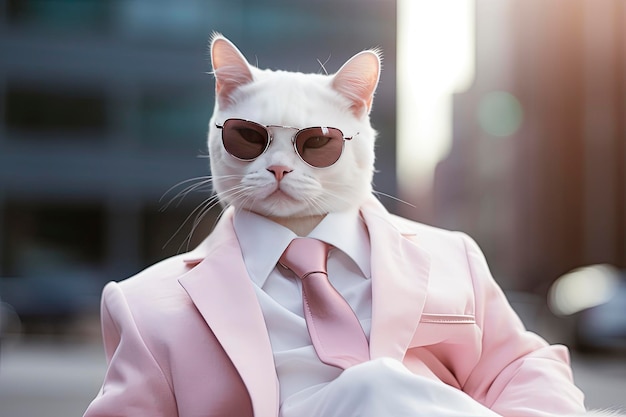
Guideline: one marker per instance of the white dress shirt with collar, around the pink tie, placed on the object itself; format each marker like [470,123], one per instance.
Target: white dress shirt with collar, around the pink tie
[279,292]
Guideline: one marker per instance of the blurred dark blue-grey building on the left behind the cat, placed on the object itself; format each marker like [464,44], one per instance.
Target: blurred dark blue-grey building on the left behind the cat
[104,105]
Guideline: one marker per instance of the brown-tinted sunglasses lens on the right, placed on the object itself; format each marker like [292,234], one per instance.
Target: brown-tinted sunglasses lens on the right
[320,146]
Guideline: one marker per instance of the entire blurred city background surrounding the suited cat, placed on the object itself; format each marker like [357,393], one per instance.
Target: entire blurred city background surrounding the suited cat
[505,119]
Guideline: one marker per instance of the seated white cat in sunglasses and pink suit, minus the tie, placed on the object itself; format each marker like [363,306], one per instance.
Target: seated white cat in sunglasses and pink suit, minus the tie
[221,330]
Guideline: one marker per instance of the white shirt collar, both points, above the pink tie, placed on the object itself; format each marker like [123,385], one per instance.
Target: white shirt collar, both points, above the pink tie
[263,241]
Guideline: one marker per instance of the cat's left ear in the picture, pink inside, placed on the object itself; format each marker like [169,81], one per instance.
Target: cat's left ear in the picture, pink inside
[230,68]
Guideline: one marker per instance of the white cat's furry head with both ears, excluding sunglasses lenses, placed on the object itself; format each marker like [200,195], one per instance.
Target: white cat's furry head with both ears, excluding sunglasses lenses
[278,183]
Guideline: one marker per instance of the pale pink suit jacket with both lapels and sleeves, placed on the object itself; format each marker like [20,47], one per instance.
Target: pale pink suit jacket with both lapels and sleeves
[186,337]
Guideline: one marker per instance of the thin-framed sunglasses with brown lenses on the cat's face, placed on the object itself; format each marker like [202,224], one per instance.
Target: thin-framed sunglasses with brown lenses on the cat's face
[318,147]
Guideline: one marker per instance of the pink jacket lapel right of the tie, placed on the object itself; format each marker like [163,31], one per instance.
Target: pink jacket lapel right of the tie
[400,270]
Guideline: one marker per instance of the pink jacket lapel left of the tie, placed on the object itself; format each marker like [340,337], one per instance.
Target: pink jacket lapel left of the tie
[221,290]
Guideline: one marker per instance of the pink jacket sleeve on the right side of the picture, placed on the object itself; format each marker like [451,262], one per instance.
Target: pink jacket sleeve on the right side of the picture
[518,373]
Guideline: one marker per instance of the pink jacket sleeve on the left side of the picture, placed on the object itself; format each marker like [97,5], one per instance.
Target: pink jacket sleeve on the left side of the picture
[134,384]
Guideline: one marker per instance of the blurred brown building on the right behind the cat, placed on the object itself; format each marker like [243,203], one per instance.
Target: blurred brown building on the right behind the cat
[537,171]
